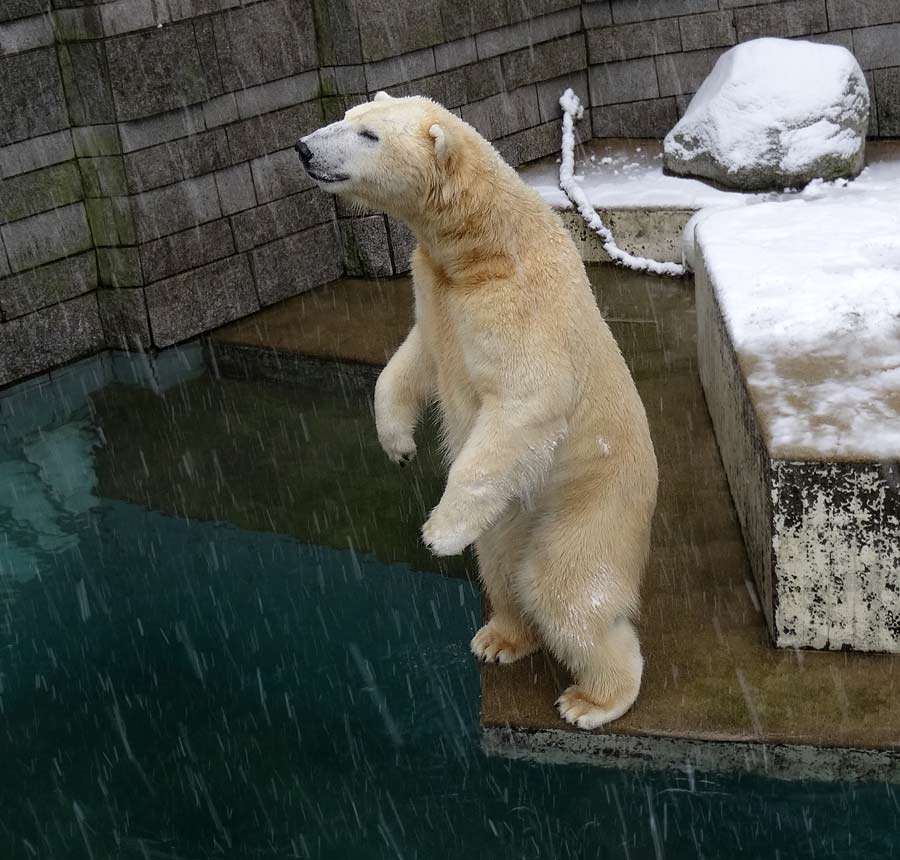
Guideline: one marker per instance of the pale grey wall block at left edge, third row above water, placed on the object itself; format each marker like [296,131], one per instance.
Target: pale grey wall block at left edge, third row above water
[49,236]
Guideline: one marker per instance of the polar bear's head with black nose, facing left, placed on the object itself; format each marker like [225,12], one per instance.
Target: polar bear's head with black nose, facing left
[391,154]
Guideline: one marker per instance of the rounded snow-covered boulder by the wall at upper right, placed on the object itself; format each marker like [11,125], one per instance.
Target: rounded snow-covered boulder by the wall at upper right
[774,113]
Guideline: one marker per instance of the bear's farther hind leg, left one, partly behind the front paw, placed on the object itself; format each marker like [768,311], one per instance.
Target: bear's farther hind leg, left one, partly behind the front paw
[507,636]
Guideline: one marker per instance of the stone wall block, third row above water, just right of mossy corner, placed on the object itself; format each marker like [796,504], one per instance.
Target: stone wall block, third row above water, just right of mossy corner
[176,207]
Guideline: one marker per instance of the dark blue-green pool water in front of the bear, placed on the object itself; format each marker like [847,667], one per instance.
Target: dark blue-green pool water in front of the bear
[219,637]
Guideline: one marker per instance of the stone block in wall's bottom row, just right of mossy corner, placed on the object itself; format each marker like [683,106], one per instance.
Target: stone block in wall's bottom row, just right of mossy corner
[200,300]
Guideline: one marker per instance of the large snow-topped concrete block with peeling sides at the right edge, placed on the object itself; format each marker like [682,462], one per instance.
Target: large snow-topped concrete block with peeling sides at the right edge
[798,312]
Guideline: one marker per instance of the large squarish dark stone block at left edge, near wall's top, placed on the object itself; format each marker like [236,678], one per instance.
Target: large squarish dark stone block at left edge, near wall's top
[32,102]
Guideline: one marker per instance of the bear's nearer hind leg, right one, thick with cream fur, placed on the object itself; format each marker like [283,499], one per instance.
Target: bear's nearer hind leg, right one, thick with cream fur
[579,584]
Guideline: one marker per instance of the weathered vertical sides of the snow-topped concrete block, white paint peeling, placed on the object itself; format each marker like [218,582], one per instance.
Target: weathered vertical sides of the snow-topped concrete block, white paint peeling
[823,536]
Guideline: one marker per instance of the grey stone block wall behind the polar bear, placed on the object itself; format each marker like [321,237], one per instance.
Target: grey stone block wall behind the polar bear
[149,190]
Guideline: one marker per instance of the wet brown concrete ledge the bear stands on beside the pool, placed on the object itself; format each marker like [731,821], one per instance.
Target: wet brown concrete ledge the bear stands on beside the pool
[716,694]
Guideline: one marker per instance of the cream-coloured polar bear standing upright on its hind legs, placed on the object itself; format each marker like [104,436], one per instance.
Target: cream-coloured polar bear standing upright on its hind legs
[552,473]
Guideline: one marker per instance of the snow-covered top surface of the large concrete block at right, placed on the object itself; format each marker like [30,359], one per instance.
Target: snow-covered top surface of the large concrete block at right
[810,292]
